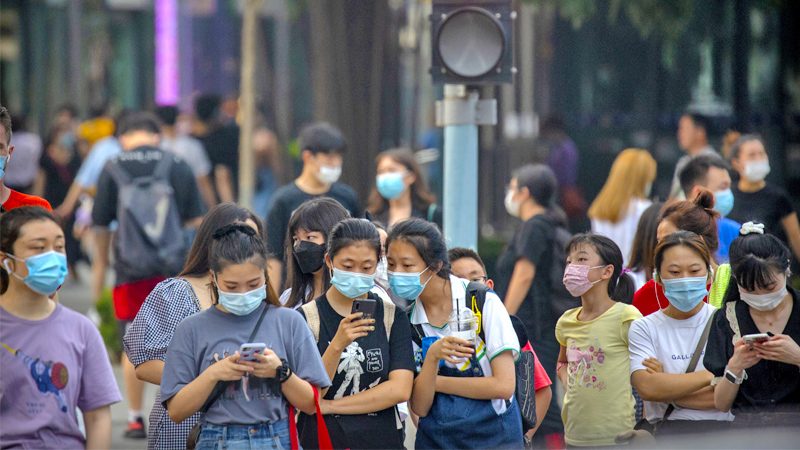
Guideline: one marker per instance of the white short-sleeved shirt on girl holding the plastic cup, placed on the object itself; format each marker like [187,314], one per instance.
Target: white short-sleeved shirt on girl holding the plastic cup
[497,328]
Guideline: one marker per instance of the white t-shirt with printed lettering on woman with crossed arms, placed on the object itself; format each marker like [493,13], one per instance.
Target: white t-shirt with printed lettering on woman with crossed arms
[672,342]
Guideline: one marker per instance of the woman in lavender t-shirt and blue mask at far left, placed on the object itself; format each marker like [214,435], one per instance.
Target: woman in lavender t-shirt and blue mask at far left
[53,359]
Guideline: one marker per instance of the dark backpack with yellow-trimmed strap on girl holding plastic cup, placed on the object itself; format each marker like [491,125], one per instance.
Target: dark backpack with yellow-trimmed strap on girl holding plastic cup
[525,392]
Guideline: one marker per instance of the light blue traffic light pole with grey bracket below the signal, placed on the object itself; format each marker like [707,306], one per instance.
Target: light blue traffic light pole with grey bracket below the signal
[460,113]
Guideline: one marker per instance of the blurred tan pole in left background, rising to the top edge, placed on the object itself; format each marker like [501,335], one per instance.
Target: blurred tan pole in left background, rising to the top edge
[250,16]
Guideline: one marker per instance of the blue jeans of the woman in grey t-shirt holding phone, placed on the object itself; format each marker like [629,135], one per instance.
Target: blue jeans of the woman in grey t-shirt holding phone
[245,437]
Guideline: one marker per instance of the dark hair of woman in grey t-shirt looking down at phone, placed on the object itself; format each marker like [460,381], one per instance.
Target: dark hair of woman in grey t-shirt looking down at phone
[237,244]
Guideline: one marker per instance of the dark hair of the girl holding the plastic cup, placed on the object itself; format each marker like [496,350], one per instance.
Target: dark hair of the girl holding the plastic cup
[426,238]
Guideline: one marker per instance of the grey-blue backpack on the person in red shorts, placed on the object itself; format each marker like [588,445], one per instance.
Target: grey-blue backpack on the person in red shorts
[149,240]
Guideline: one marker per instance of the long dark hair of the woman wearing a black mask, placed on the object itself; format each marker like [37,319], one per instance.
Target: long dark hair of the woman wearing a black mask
[318,214]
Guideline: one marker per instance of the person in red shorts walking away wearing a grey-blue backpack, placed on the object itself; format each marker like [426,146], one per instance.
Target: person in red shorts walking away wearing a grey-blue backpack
[149,243]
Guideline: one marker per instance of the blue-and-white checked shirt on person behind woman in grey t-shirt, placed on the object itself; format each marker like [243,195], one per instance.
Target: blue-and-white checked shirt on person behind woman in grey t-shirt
[147,339]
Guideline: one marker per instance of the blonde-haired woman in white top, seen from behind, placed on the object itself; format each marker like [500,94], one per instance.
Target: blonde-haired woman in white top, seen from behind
[616,211]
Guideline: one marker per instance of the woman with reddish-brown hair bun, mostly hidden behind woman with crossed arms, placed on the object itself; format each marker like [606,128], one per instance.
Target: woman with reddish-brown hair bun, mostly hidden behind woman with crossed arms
[699,217]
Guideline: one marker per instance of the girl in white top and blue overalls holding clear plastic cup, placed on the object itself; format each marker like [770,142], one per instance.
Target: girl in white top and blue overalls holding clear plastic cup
[464,390]
